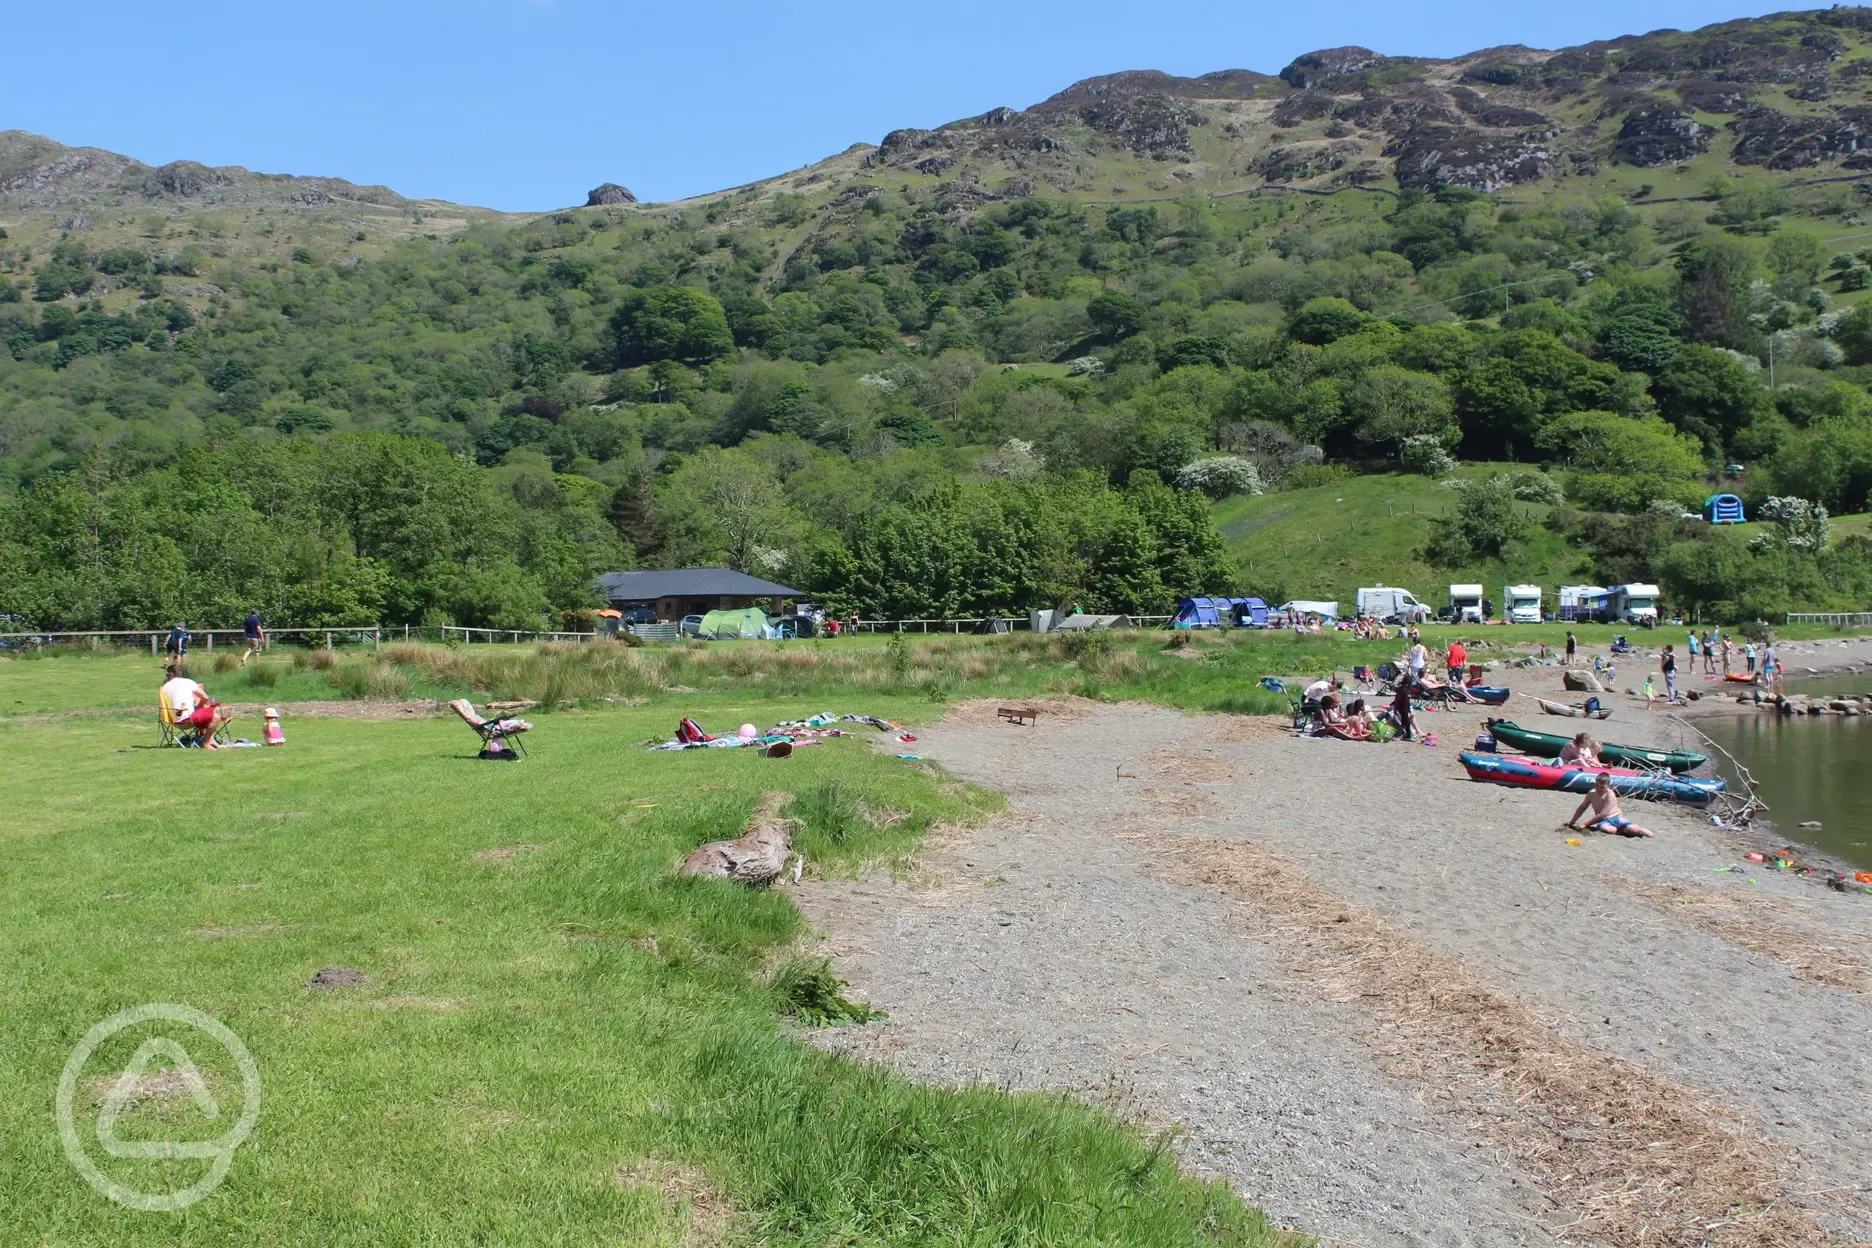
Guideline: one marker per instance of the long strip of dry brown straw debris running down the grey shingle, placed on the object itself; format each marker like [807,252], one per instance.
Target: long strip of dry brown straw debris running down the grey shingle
[1637,1159]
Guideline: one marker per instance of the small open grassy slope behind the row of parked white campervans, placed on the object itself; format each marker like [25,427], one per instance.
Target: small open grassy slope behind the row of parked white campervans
[1324,544]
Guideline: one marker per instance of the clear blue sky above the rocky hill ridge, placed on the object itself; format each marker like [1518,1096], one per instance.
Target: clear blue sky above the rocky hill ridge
[529,104]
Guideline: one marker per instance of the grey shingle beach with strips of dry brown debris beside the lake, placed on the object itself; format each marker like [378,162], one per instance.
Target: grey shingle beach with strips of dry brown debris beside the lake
[1386,1004]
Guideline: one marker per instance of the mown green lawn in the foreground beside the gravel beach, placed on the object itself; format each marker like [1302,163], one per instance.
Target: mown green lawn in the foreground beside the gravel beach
[533,1026]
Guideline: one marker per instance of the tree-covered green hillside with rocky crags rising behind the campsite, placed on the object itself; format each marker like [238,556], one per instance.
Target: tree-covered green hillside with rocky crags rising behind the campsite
[991,366]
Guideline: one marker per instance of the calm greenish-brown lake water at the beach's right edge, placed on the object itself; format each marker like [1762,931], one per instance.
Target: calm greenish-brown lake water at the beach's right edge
[1809,768]
